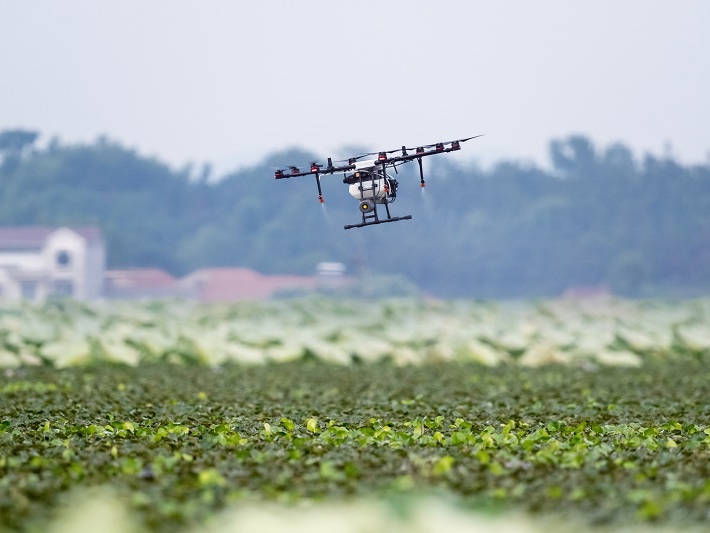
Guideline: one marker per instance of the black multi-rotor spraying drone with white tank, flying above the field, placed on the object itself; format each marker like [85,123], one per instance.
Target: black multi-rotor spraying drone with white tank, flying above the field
[368,181]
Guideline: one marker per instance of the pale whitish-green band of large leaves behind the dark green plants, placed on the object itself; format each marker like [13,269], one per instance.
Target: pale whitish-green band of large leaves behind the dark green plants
[605,331]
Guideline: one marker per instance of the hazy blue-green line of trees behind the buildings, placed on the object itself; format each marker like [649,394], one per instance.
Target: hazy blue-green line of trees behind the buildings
[598,217]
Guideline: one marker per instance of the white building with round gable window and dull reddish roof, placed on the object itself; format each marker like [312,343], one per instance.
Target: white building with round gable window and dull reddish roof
[37,263]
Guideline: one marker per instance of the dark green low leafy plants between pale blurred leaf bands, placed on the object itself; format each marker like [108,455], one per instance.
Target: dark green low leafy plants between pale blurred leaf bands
[176,444]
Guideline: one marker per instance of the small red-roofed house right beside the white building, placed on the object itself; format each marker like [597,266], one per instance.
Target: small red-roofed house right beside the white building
[139,283]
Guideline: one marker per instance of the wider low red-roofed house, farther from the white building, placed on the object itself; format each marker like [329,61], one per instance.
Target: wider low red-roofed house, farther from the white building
[232,284]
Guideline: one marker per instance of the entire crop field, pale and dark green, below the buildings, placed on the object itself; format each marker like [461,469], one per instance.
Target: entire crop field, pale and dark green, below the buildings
[350,415]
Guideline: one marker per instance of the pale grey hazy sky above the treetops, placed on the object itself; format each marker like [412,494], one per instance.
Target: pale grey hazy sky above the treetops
[228,82]
